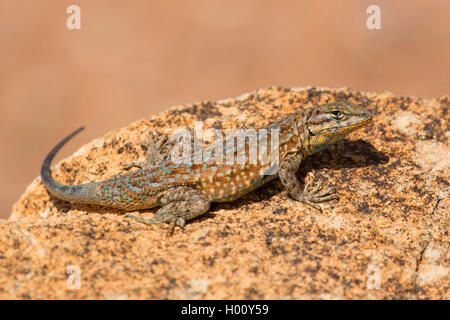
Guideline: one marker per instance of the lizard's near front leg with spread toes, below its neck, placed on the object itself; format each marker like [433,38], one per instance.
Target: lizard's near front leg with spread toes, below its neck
[287,175]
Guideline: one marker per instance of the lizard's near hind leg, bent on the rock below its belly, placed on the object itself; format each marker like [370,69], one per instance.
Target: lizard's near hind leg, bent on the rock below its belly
[179,204]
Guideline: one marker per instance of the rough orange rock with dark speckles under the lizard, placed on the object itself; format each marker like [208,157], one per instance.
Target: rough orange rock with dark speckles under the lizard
[387,236]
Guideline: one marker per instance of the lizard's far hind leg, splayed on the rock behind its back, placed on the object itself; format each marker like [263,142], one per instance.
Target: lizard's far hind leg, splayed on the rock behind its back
[155,154]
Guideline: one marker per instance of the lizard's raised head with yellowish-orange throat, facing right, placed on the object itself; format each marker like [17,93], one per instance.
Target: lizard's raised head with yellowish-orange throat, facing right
[329,123]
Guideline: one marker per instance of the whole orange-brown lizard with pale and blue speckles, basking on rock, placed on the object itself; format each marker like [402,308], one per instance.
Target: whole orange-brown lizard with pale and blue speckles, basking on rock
[184,191]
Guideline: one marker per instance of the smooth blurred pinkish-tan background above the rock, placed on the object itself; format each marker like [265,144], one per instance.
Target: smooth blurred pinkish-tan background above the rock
[133,59]
